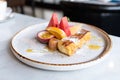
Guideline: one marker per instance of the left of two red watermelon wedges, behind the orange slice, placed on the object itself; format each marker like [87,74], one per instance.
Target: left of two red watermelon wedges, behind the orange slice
[53,21]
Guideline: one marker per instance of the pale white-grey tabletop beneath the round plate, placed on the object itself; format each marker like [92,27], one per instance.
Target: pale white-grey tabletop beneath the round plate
[11,68]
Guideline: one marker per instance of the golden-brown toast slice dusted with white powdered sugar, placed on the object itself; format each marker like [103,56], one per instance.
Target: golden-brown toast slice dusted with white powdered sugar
[69,45]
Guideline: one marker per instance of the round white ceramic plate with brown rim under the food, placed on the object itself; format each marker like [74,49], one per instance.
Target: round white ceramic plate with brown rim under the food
[45,59]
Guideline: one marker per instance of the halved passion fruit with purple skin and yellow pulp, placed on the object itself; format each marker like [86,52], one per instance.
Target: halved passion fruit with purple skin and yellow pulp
[44,36]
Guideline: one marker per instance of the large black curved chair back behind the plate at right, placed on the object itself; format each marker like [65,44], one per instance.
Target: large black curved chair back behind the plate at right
[105,16]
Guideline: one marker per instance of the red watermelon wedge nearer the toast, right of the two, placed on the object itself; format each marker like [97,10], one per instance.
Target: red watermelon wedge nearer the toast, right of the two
[64,26]
